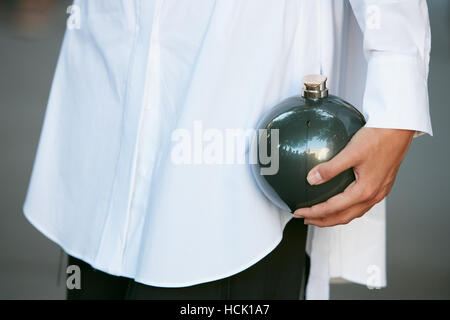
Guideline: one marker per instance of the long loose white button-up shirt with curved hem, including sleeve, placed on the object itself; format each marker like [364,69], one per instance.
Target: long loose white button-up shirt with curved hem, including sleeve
[105,185]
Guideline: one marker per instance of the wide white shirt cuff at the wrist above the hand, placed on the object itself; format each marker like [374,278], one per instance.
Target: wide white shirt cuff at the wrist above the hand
[396,93]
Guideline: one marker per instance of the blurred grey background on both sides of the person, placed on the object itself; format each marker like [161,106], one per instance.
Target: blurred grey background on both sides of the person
[418,216]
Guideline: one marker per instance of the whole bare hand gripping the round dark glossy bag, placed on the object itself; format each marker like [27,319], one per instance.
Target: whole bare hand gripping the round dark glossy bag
[373,155]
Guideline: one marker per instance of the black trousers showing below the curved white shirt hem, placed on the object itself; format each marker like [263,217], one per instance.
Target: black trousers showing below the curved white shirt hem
[282,274]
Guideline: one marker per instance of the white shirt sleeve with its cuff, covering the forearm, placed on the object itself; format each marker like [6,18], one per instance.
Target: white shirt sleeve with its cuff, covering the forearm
[397,41]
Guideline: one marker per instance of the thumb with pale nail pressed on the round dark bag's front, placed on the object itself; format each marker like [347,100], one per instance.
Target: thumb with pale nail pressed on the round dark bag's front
[327,170]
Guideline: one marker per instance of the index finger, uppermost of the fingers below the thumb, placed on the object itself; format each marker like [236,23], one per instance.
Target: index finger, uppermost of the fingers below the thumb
[352,195]
